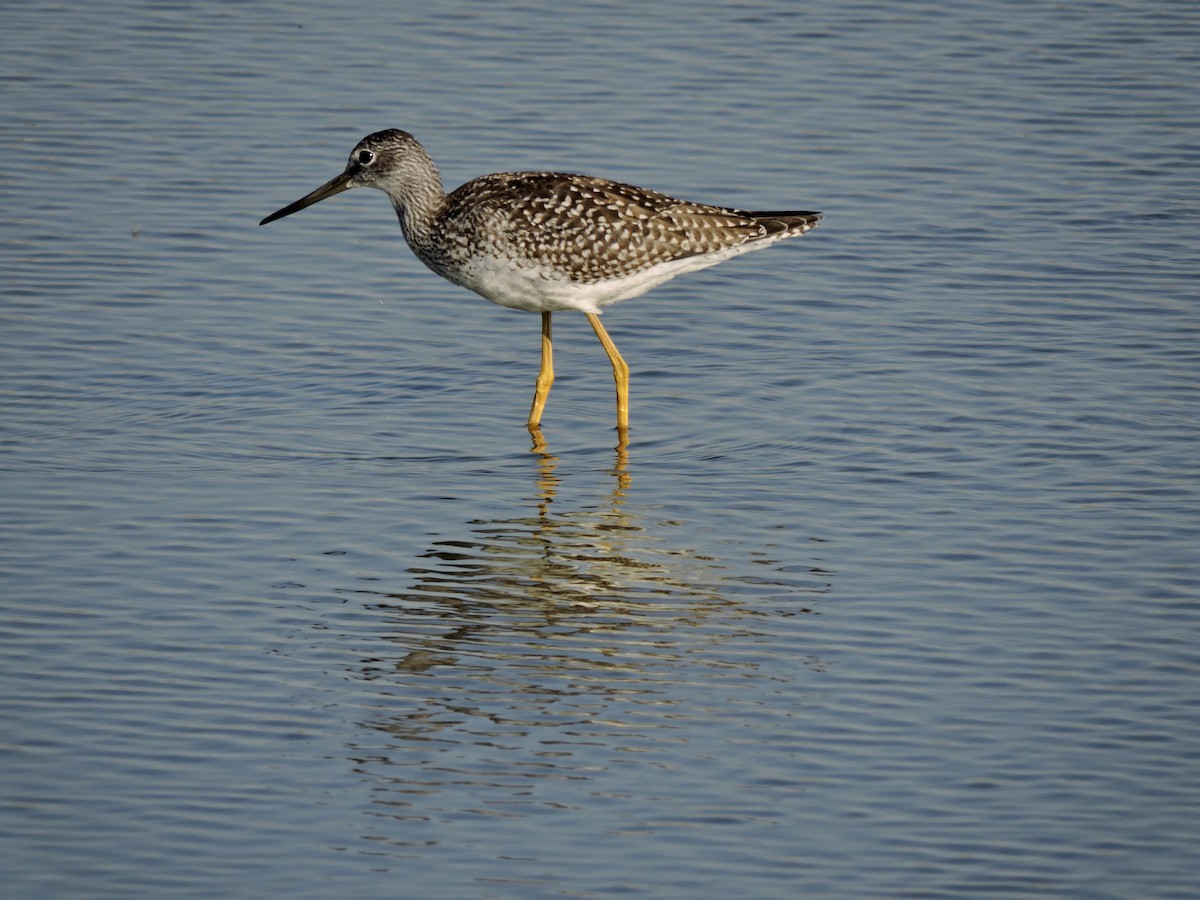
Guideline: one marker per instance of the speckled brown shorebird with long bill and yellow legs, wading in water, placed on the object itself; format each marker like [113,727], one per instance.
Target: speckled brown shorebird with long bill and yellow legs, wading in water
[548,242]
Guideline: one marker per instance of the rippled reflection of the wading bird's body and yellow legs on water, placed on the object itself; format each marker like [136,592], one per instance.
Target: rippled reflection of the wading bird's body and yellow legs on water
[586,590]
